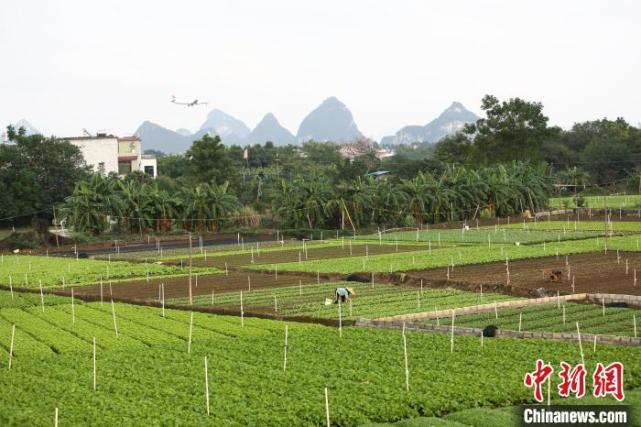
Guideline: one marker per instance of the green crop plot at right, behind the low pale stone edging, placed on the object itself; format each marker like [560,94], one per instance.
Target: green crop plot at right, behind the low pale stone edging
[591,318]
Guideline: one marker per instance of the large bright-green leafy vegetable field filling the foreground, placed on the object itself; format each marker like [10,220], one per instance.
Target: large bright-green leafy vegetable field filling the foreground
[148,372]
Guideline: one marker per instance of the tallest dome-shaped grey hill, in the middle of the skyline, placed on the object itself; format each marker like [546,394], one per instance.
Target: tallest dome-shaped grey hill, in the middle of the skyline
[331,121]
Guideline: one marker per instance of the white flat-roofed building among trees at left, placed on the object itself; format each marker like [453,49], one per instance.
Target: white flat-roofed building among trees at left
[108,153]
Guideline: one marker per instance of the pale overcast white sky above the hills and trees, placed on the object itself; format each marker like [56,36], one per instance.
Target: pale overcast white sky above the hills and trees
[109,65]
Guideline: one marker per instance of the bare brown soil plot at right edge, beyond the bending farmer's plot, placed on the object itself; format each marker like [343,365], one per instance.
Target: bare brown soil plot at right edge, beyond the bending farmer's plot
[594,272]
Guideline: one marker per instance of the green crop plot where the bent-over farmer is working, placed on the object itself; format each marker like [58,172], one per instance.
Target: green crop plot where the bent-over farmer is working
[370,301]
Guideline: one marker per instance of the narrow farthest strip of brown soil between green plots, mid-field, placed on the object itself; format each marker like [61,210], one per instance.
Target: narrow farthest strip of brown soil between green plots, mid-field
[292,255]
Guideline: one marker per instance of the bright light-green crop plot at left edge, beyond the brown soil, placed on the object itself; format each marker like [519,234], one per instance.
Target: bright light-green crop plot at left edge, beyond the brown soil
[31,271]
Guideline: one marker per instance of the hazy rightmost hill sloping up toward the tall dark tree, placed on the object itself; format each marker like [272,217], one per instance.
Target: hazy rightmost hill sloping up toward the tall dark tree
[448,122]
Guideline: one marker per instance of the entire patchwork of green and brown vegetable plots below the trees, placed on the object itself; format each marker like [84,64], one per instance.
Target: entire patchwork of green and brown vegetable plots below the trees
[149,369]
